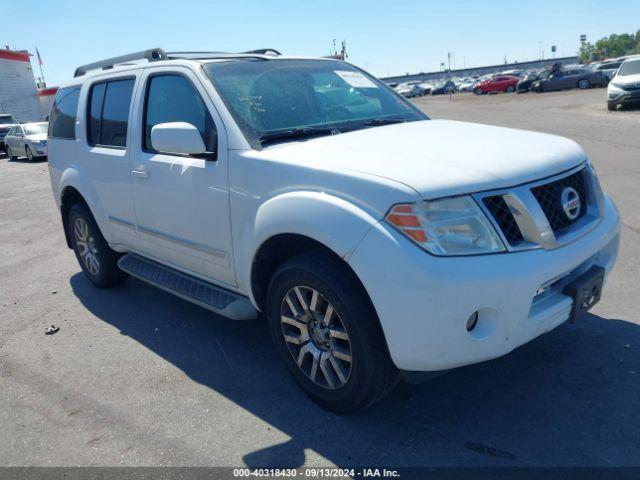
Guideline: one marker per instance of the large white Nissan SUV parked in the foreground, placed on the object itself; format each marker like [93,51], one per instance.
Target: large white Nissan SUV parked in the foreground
[376,241]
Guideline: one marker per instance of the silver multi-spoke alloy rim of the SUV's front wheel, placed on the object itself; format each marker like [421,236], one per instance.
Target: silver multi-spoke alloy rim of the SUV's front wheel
[316,337]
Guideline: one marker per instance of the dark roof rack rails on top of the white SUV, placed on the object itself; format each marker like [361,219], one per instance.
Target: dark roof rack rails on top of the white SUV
[157,54]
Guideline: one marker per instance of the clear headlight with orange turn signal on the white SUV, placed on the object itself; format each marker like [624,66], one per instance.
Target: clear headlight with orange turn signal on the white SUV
[452,226]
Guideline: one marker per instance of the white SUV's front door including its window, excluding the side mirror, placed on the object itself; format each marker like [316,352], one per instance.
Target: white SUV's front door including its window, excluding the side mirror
[181,201]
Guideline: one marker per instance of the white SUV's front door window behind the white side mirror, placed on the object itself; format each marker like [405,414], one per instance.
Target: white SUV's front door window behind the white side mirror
[173,98]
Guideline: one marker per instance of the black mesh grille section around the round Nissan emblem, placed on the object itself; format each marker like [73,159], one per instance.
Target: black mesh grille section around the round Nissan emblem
[549,198]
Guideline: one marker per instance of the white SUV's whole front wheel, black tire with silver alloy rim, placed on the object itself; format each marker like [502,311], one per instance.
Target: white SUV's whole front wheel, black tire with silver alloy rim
[328,335]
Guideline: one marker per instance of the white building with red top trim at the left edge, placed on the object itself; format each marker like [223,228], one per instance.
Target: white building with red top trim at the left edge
[18,92]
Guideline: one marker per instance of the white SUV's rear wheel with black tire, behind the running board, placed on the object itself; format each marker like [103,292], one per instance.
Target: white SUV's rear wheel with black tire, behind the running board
[97,260]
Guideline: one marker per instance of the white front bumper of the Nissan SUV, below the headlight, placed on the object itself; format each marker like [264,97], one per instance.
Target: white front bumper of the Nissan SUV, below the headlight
[423,301]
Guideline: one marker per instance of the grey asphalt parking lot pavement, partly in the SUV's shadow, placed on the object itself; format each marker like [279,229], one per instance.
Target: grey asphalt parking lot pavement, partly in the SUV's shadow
[139,377]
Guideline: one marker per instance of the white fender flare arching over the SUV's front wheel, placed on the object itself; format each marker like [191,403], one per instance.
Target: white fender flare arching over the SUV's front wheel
[330,220]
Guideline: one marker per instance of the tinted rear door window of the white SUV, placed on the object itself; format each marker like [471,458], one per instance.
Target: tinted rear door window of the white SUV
[109,104]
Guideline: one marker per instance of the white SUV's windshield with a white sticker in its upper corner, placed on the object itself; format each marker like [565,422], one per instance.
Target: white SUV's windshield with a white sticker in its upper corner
[270,96]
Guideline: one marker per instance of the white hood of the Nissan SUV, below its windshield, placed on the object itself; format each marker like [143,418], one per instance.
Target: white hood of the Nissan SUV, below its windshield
[438,158]
